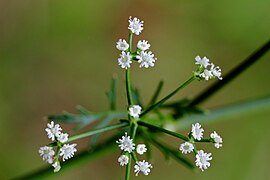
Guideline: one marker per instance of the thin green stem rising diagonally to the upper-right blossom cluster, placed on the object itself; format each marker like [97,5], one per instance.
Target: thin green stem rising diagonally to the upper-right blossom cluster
[156,105]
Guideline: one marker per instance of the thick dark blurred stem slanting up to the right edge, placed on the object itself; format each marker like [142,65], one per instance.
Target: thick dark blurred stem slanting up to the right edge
[231,75]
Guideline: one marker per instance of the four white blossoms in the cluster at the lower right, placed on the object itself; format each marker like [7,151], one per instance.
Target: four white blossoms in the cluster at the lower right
[196,134]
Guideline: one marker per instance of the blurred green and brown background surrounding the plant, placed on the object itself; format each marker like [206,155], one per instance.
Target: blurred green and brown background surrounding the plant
[57,54]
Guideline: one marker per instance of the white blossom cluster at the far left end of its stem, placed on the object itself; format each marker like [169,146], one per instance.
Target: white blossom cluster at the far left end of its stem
[54,132]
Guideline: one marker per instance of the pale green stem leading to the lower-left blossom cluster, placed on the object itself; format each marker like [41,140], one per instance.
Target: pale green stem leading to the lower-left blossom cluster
[96,131]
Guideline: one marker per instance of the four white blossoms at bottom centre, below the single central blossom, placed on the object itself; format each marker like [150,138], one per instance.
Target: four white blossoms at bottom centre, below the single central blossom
[127,146]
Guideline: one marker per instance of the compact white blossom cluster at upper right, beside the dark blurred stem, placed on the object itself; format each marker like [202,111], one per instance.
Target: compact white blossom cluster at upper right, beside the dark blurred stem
[206,70]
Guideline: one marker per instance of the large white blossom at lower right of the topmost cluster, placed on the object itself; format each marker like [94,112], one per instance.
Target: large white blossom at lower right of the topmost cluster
[146,59]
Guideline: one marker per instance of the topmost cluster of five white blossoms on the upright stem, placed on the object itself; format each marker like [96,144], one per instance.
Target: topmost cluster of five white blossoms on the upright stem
[145,58]
